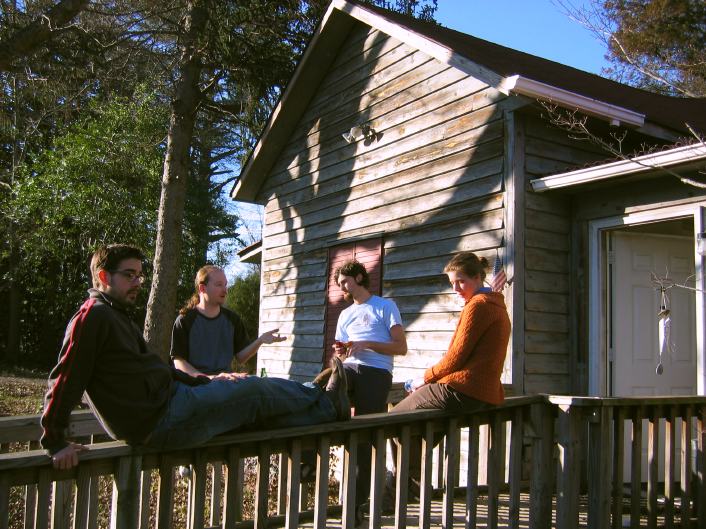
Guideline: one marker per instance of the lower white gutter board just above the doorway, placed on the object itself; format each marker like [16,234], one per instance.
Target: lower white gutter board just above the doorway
[647,162]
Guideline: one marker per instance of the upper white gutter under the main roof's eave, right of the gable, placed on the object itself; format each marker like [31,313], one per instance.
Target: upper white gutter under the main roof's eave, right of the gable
[614,114]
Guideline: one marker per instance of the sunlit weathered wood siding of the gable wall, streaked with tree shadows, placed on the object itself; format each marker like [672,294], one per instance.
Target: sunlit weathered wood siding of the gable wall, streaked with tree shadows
[430,182]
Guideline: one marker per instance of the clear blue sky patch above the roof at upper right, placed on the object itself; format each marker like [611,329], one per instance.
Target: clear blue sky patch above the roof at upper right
[538,27]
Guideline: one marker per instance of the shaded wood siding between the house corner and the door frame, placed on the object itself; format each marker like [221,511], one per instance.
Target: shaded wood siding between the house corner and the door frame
[550,303]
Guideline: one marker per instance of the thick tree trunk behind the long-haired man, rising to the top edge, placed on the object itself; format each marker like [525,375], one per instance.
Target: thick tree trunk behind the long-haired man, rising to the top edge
[162,299]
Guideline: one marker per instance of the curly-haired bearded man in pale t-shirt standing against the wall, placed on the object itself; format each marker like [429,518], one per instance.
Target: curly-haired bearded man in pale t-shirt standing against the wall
[369,334]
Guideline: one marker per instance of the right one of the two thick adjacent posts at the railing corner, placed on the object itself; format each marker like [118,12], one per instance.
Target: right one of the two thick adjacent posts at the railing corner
[568,474]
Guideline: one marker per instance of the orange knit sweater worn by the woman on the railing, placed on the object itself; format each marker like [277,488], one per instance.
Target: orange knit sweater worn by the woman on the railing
[474,360]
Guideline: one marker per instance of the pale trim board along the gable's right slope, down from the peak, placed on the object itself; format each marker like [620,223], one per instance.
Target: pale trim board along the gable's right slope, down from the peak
[423,44]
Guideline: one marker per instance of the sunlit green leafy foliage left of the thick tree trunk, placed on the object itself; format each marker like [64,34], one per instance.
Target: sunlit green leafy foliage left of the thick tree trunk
[98,184]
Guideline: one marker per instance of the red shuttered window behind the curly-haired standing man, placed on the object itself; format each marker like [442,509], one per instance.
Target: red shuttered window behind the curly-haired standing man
[369,253]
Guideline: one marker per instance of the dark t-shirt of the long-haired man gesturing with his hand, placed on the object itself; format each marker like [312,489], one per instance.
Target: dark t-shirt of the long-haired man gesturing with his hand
[208,344]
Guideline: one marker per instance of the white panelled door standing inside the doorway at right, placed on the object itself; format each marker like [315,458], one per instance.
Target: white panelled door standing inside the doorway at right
[635,304]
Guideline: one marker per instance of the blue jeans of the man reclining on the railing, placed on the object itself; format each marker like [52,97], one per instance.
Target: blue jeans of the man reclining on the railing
[195,414]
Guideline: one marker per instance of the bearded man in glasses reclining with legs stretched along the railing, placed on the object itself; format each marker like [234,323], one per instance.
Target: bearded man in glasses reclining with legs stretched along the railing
[139,398]
